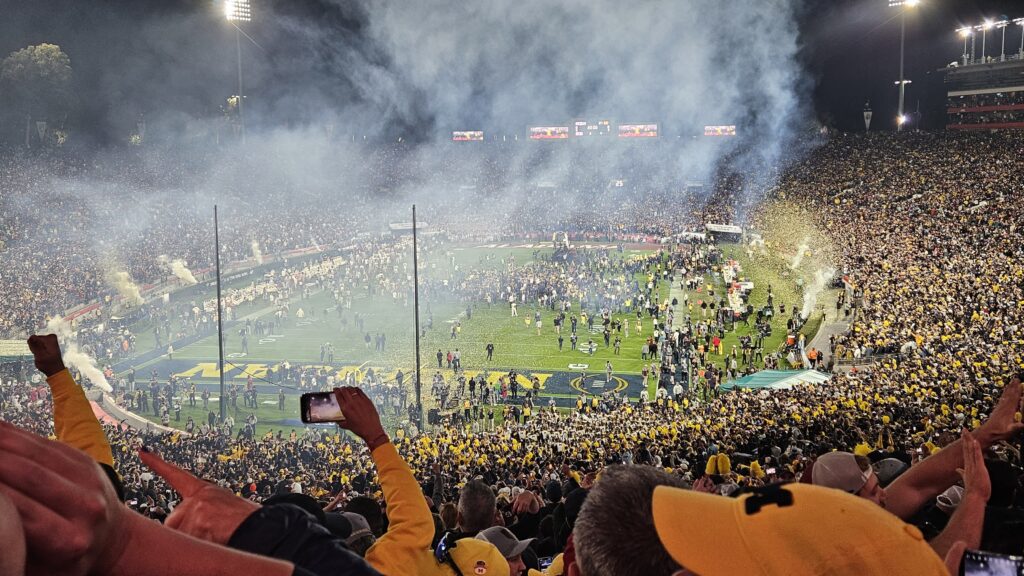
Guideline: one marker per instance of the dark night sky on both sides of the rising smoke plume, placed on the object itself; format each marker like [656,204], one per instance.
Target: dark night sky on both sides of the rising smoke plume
[134,58]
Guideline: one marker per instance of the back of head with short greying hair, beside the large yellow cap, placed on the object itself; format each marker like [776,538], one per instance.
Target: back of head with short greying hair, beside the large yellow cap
[615,534]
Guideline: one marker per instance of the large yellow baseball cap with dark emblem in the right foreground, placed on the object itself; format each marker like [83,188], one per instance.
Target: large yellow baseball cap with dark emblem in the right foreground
[789,529]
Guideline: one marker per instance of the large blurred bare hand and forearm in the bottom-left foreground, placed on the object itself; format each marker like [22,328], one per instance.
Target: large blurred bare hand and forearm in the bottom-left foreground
[75,525]
